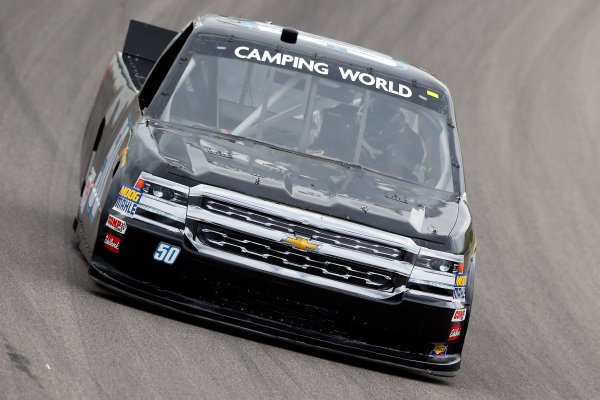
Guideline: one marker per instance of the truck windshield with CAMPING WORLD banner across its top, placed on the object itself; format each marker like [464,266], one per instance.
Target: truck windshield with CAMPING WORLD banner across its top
[313,106]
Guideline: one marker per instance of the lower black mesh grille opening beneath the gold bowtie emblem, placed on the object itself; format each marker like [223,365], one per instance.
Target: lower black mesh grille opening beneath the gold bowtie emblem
[284,256]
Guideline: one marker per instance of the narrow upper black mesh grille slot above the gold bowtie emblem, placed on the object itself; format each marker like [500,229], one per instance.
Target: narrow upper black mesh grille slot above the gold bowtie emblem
[280,224]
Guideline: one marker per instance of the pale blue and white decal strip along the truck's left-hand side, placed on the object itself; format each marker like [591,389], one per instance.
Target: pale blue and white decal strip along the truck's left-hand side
[92,197]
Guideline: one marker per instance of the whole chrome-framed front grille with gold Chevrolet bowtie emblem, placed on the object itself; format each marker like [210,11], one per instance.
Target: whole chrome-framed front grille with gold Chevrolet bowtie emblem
[297,244]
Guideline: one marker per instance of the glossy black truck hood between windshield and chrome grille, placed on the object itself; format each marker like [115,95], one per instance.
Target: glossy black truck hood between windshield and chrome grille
[311,183]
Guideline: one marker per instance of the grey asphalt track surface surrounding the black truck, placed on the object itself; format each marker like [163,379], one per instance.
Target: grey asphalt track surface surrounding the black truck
[524,76]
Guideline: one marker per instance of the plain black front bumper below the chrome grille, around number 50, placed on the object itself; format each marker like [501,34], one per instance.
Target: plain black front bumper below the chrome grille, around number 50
[401,330]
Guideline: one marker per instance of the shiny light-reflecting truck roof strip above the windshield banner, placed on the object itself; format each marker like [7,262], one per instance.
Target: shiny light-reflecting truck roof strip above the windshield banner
[320,46]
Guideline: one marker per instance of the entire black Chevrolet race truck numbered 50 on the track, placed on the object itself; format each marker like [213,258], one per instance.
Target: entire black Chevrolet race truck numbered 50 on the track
[283,183]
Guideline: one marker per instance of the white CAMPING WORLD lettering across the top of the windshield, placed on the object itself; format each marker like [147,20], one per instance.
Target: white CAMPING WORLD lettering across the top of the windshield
[365,78]
